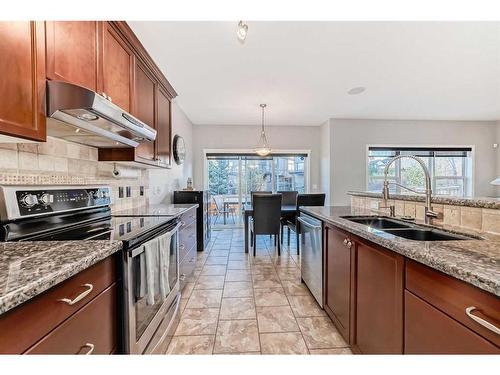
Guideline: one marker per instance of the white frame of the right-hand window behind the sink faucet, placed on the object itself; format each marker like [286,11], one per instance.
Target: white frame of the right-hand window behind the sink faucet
[469,188]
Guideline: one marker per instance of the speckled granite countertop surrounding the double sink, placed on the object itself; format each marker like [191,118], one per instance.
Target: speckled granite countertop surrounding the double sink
[474,261]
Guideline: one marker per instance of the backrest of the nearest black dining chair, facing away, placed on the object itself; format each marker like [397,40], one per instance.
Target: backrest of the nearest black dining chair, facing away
[267,213]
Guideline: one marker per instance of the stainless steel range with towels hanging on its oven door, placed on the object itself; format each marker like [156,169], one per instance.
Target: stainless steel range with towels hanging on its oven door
[149,260]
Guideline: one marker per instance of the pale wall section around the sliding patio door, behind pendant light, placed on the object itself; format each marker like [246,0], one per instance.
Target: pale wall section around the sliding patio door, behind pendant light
[246,137]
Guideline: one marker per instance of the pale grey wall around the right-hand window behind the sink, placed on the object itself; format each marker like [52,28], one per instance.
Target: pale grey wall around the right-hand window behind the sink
[350,137]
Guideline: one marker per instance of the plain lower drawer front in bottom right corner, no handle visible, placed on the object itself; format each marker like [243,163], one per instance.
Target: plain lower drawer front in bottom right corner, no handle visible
[429,331]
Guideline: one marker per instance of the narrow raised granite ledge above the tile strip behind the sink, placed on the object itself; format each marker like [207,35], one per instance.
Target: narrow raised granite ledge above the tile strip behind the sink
[479,202]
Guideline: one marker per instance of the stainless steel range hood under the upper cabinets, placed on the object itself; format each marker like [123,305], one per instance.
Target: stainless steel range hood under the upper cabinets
[80,115]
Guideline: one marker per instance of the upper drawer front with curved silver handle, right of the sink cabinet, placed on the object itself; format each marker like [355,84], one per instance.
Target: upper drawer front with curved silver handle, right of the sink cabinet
[453,296]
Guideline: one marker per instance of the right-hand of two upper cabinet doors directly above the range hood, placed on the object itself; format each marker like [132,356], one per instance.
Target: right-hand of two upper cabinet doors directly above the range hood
[117,68]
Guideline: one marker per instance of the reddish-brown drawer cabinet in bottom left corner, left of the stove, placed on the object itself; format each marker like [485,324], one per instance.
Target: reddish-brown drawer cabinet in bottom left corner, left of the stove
[47,325]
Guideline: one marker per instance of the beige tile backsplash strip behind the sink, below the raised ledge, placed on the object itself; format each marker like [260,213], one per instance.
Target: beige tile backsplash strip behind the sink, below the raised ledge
[470,218]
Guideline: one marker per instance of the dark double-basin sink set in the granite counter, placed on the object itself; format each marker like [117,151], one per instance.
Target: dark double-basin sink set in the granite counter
[403,229]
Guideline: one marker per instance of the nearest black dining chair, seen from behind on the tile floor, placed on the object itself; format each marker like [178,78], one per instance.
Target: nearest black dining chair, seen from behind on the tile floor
[266,218]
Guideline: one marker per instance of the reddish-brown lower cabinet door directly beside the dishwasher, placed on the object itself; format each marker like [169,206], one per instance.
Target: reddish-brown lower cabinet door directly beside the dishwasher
[338,279]
